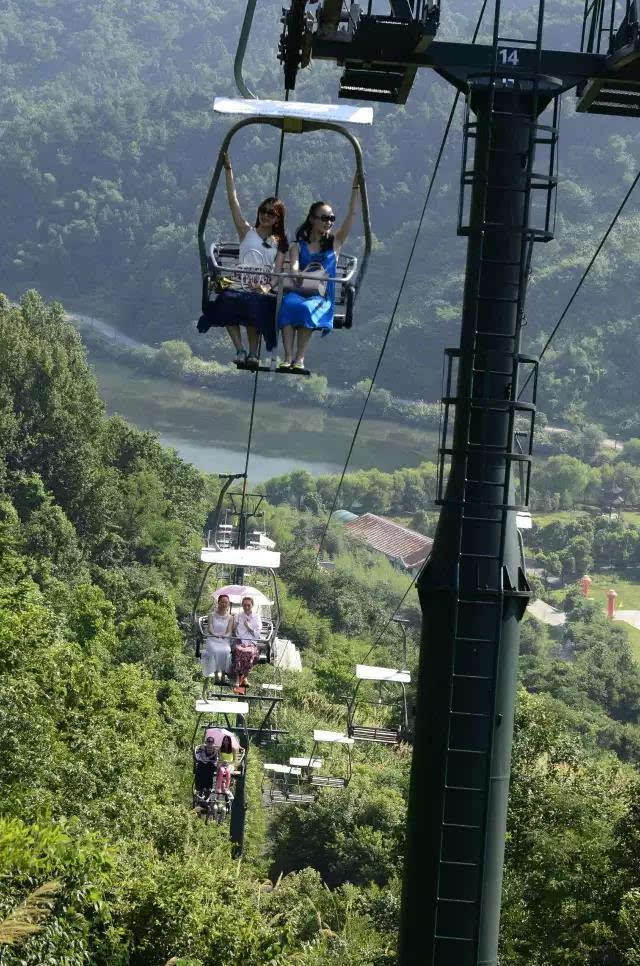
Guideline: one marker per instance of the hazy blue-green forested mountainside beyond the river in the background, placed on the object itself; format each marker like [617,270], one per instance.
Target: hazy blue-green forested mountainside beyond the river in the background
[108,141]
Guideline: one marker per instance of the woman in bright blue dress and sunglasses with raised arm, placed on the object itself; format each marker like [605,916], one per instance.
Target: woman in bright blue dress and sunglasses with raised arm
[315,246]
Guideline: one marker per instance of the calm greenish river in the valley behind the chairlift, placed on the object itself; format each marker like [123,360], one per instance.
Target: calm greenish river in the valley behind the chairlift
[210,430]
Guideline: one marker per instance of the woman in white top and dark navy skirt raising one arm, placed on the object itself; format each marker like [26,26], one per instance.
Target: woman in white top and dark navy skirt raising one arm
[249,302]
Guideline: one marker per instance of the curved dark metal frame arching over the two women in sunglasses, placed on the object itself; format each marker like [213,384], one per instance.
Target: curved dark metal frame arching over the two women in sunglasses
[303,127]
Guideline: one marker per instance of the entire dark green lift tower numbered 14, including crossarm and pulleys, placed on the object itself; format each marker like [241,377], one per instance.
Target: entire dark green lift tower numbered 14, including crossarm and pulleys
[474,591]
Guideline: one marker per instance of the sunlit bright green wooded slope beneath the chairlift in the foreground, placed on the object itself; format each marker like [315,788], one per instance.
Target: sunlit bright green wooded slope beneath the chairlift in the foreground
[101,857]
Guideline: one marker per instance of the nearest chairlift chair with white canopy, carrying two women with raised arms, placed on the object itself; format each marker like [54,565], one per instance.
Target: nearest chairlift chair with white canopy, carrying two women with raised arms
[221,259]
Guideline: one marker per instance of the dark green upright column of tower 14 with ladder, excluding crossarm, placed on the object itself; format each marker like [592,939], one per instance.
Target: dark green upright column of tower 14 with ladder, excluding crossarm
[473,591]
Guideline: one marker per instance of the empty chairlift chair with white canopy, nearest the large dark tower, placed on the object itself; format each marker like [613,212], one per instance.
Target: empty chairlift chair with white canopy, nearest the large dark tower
[390,700]
